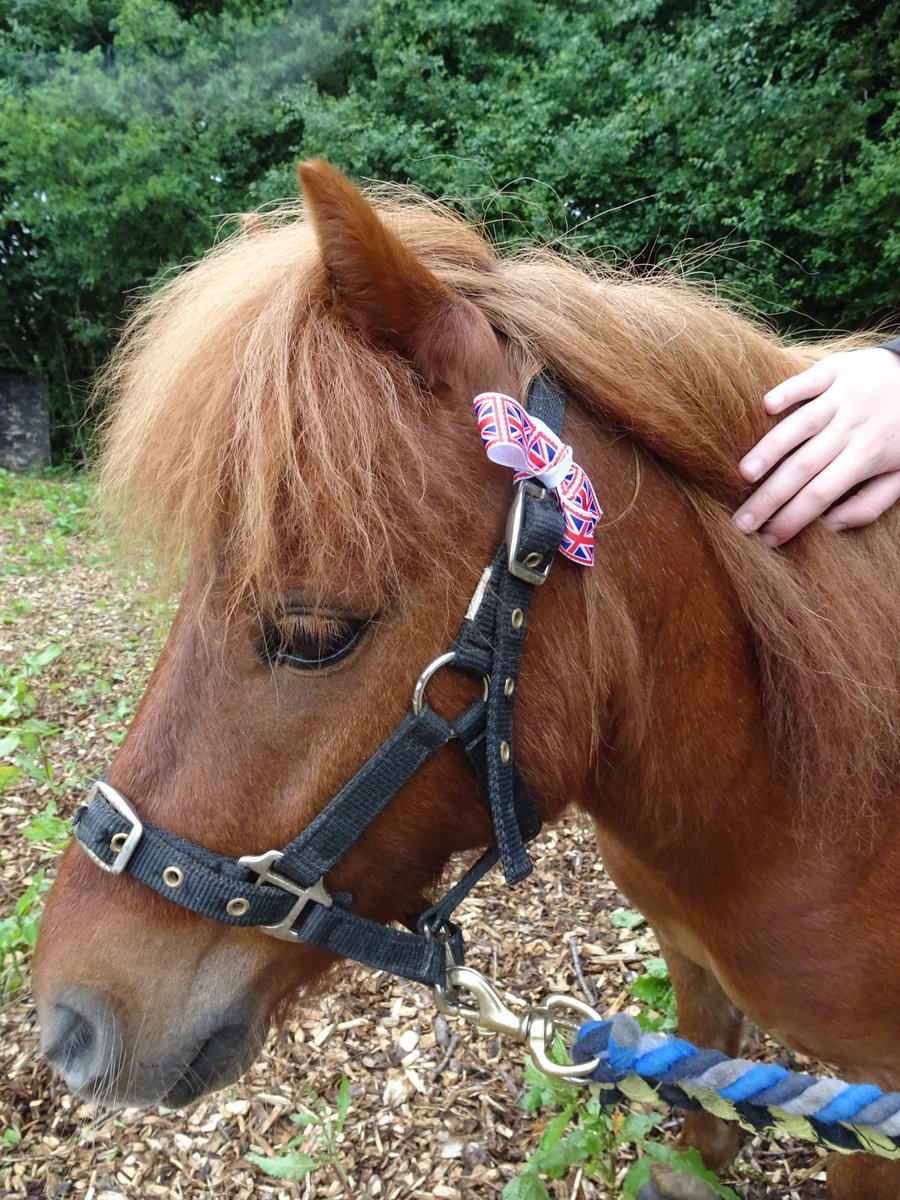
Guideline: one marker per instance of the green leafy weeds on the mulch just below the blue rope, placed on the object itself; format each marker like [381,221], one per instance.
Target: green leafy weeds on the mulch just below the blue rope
[601,1142]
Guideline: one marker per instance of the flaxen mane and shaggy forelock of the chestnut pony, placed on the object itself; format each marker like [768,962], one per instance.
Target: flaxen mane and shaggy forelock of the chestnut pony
[241,411]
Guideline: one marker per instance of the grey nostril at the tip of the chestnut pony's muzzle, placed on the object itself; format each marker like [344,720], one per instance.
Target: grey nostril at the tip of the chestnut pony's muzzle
[81,1040]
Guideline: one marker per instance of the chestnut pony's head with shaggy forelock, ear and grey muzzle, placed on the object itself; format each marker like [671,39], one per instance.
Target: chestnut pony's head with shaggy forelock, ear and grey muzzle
[293,418]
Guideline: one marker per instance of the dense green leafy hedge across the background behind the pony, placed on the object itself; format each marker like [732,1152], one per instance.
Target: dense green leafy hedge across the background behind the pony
[765,131]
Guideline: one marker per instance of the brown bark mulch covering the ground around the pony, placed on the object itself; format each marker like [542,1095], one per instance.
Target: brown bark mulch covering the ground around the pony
[436,1109]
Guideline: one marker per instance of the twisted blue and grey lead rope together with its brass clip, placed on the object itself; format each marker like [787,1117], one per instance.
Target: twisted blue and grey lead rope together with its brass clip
[625,1063]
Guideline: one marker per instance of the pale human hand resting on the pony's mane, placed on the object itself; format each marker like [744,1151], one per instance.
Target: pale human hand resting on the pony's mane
[847,431]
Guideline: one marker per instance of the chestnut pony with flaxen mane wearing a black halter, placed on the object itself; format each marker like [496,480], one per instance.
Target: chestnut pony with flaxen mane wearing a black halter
[292,418]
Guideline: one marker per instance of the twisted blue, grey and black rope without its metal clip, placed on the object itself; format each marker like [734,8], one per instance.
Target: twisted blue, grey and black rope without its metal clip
[844,1117]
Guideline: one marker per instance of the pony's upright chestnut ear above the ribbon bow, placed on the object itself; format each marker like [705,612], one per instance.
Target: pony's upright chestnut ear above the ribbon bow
[388,295]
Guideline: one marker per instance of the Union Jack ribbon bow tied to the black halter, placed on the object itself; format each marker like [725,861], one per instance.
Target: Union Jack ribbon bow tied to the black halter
[514,439]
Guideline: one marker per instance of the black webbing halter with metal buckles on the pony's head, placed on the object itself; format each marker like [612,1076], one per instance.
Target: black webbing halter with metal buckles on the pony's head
[283,892]
